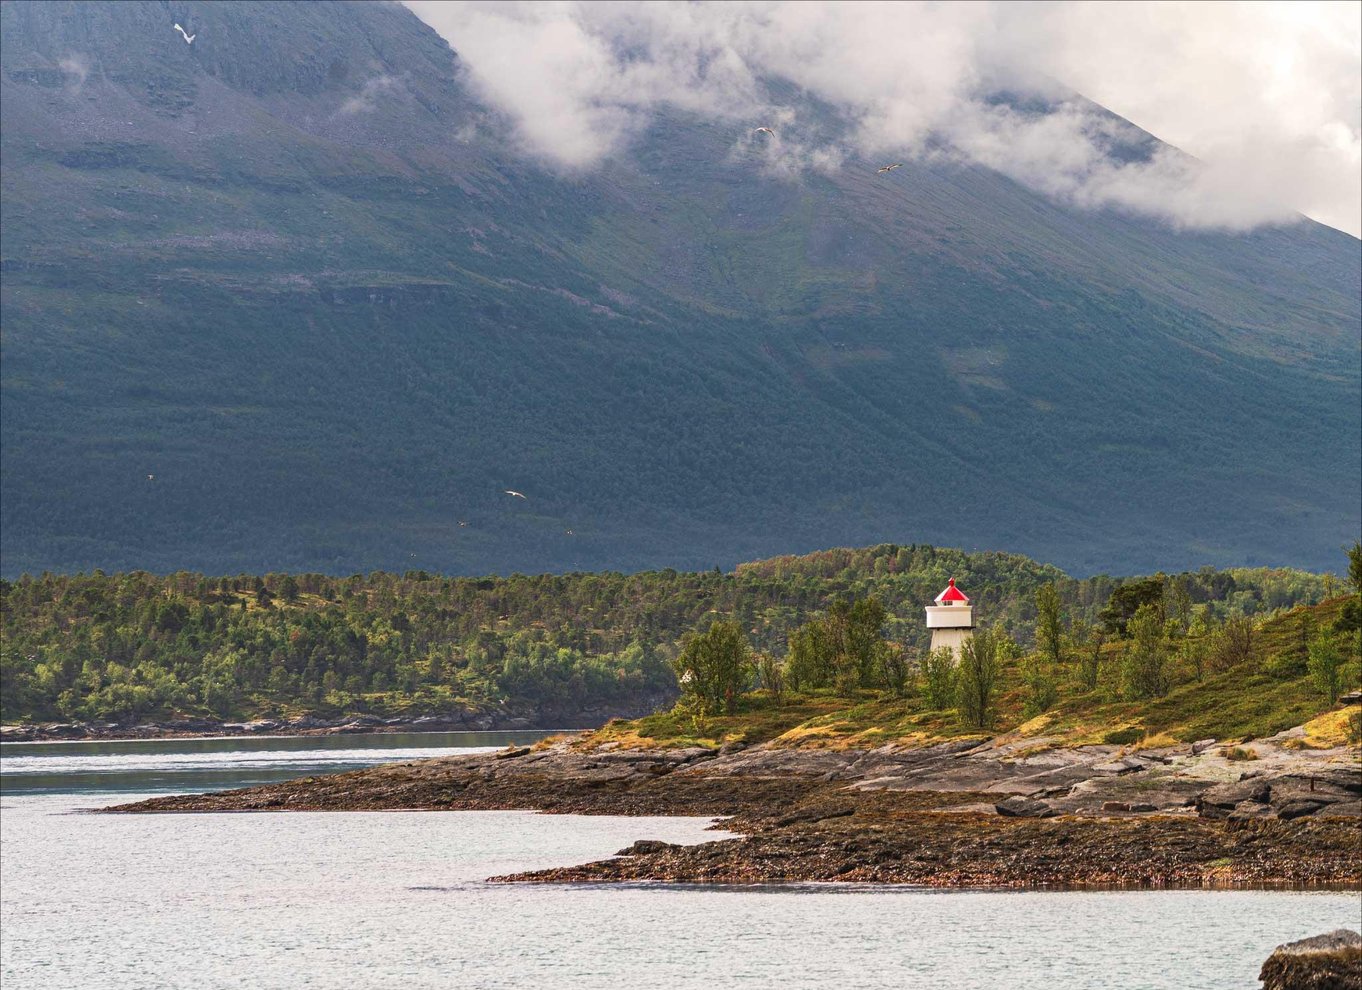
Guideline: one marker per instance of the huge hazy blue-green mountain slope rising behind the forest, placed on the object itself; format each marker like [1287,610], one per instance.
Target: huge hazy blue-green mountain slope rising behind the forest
[289,299]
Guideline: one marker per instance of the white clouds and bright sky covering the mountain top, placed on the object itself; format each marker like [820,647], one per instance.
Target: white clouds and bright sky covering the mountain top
[1265,99]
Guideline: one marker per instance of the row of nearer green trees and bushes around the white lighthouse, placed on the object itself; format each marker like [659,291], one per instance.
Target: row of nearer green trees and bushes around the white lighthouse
[1152,637]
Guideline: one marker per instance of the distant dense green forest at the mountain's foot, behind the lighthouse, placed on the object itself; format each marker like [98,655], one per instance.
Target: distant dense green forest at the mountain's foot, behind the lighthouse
[136,645]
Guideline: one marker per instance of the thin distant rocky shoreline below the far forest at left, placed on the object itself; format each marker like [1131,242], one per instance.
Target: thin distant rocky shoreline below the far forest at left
[314,725]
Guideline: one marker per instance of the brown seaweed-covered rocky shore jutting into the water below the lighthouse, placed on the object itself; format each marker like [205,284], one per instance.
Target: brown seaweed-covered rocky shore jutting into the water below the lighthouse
[1003,812]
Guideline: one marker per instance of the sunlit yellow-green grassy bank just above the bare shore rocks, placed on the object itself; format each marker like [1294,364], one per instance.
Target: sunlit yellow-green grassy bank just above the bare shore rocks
[1236,705]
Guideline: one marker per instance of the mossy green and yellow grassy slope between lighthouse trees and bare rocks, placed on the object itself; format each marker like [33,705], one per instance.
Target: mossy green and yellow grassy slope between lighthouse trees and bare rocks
[1267,690]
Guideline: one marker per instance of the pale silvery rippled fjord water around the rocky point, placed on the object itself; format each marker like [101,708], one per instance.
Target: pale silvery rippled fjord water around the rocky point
[400,899]
